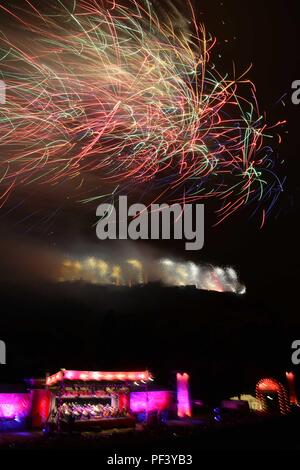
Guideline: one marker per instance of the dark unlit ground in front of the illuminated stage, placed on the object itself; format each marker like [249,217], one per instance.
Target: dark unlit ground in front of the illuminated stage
[276,434]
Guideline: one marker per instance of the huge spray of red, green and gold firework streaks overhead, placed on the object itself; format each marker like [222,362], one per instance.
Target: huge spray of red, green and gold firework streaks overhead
[115,92]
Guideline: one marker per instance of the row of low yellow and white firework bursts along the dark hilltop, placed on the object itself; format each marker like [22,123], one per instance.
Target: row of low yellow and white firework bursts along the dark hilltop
[168,271]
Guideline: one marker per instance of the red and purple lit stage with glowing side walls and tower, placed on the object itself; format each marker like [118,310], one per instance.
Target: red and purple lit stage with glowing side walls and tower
[89,396]
